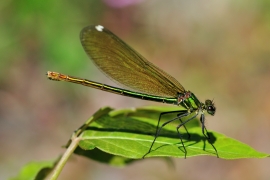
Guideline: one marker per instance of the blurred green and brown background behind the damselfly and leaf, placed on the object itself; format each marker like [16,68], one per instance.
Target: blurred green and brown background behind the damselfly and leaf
[217,49]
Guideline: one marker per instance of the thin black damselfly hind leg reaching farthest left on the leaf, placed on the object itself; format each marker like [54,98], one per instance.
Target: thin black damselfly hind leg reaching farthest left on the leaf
[158,129]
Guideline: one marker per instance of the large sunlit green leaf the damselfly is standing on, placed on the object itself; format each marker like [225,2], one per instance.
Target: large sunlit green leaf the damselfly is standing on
[128,133]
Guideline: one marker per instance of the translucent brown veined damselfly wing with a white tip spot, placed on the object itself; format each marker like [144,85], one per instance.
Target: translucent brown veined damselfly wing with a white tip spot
[124,65]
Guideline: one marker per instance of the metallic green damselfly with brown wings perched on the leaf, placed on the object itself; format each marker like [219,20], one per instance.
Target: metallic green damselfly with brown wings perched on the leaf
[128,68]
